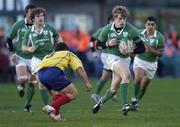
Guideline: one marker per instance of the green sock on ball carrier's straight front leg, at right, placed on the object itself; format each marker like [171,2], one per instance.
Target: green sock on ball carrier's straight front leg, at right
[124,90]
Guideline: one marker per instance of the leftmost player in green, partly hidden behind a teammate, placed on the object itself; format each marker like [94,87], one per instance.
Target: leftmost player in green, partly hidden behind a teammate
[20,59]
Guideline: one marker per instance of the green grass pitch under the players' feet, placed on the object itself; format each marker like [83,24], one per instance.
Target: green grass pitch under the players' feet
[160,107]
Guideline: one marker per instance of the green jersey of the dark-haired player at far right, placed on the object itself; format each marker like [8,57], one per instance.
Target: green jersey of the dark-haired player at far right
[156,42]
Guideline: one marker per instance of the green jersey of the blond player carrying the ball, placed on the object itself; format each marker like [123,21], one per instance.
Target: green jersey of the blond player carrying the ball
[108,32]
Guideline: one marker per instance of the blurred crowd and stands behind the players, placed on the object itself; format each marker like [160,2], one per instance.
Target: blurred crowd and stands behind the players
[76,20]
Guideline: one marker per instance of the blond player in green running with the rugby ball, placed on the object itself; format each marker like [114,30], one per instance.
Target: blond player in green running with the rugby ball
[119,60]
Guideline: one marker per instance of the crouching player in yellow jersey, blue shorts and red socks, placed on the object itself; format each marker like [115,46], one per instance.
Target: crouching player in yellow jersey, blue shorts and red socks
[51,75]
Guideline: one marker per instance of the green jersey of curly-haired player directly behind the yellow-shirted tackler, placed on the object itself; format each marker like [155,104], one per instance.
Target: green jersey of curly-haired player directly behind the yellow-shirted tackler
[44,40]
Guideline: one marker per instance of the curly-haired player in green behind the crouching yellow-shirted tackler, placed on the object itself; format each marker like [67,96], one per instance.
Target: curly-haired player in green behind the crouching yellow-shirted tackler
[40,41]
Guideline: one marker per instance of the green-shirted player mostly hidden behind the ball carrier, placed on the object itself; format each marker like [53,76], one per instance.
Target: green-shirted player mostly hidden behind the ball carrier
[106,73]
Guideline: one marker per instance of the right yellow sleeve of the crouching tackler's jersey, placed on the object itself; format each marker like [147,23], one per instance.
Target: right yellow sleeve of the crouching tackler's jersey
[75,62]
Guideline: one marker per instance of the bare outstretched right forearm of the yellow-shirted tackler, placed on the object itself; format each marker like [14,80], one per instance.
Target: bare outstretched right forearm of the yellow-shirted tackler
[81,72]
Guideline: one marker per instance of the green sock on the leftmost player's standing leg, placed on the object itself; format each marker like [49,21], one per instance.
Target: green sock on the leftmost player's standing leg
[29,96]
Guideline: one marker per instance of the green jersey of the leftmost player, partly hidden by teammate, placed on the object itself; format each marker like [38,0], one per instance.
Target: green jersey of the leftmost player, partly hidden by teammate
[17,32]
